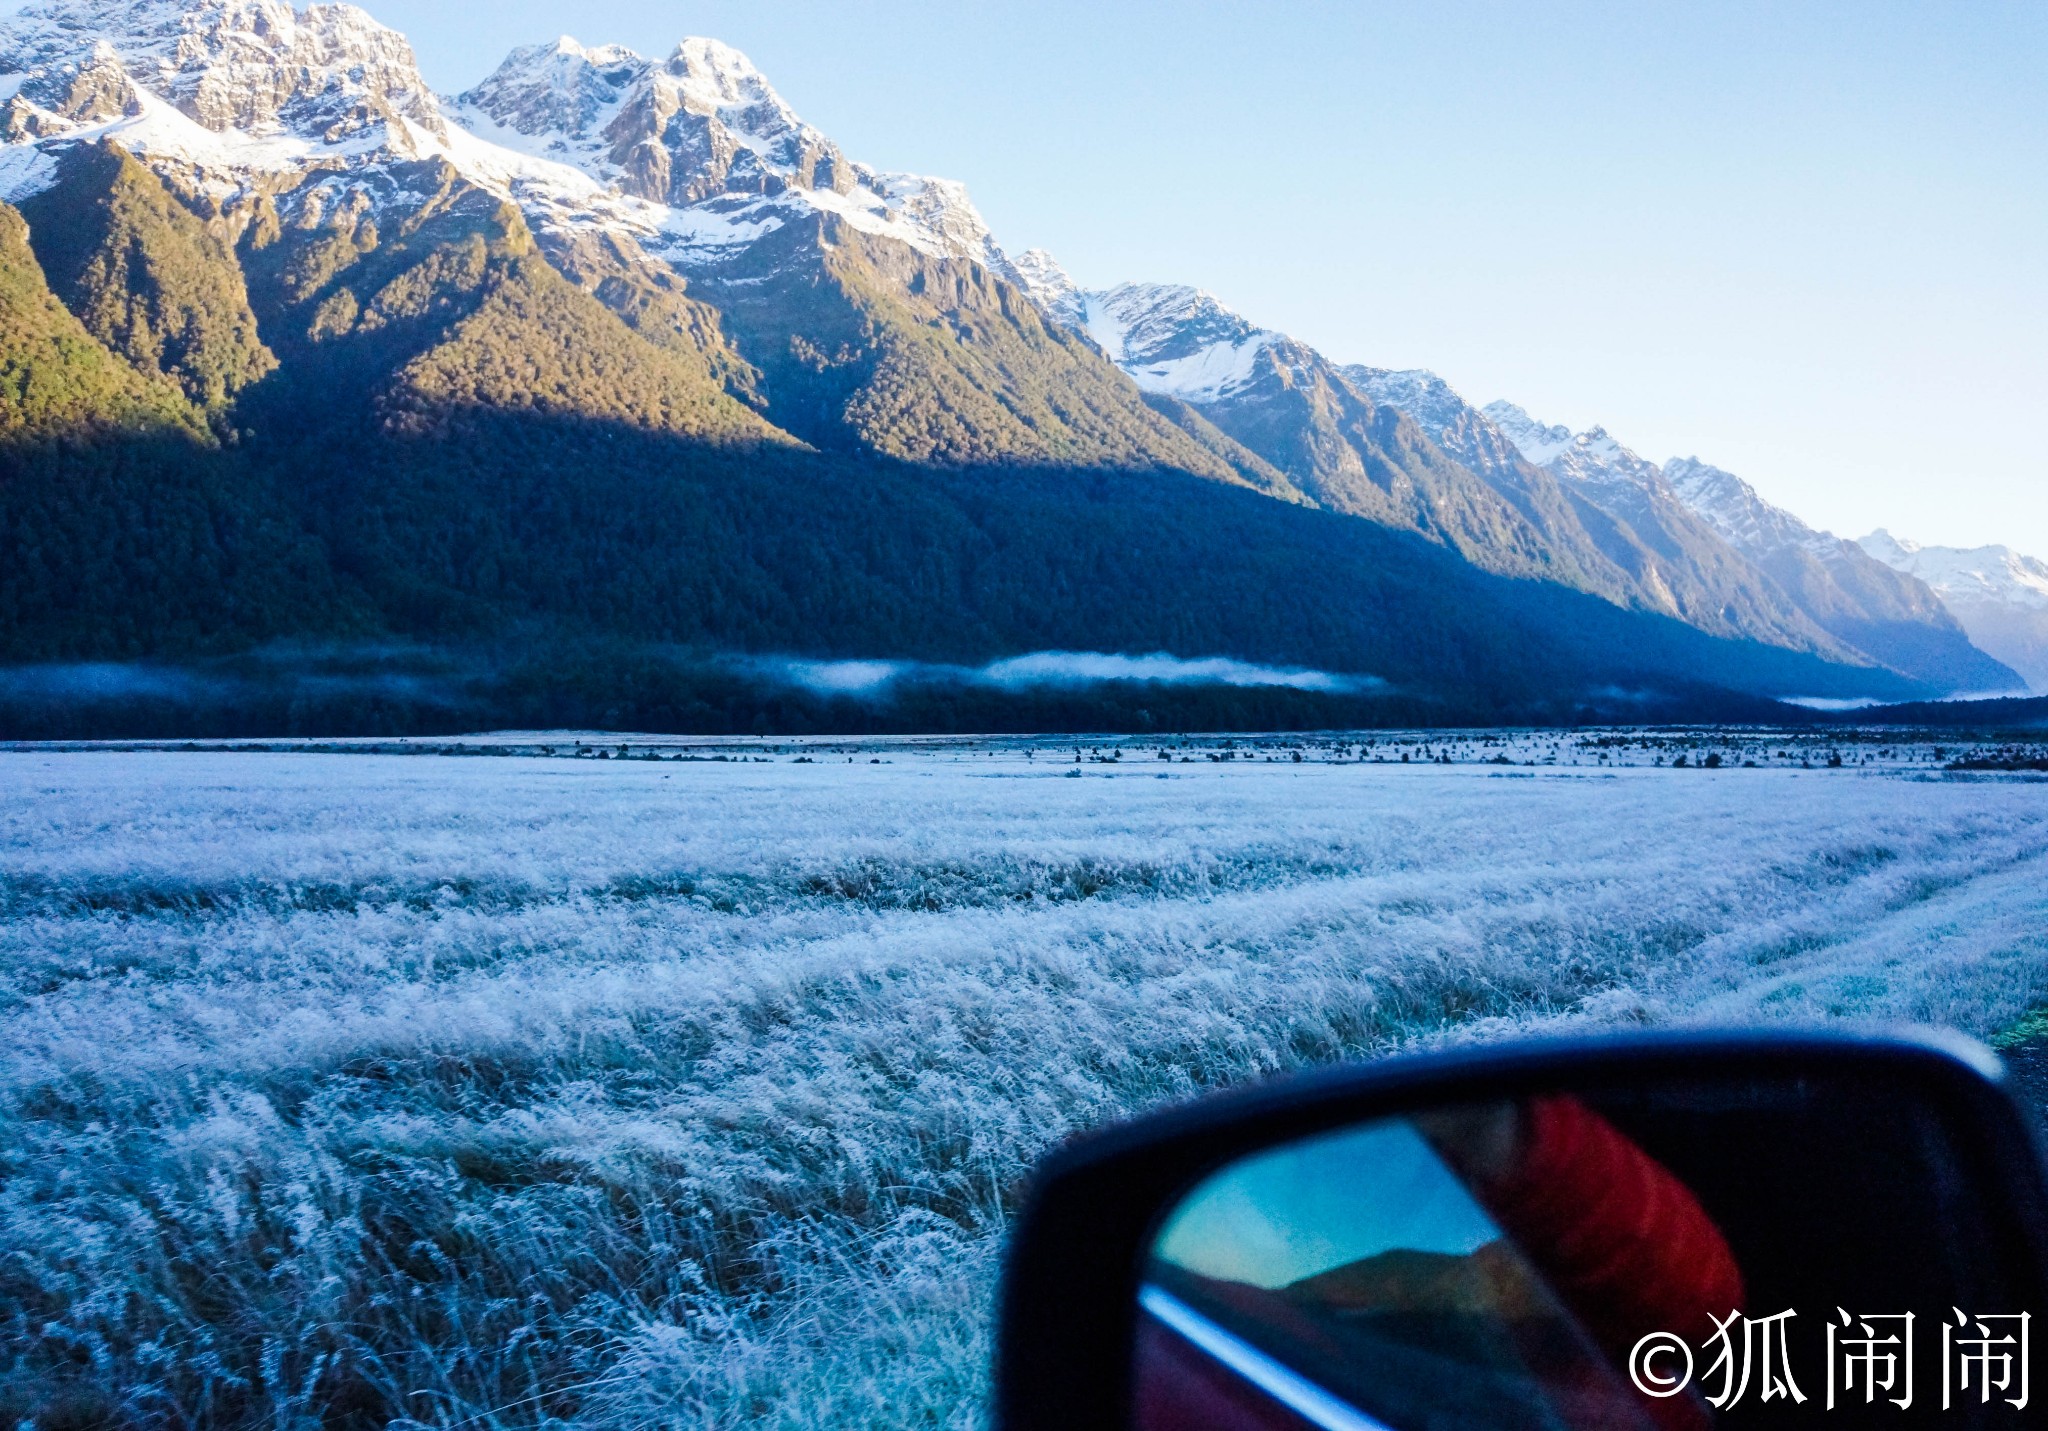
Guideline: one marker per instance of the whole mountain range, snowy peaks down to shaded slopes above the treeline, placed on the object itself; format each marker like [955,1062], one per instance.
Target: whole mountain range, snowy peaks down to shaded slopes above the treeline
[300,351]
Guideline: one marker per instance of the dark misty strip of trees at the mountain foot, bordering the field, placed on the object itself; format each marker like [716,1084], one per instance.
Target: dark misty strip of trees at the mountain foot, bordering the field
[562,683]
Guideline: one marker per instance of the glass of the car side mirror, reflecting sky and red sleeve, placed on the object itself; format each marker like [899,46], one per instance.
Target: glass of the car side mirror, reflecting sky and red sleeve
[1662,1260]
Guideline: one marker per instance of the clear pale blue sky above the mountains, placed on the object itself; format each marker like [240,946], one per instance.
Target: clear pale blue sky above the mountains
[1807,243]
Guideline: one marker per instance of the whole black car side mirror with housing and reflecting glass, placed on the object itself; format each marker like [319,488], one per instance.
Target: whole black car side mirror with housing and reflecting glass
[1658,1233]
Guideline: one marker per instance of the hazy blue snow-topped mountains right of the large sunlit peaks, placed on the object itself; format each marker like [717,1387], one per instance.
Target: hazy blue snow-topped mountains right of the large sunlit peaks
[1584,507]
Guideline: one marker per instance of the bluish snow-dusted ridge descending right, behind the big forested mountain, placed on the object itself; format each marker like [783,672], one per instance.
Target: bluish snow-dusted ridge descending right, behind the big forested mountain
[1594,513]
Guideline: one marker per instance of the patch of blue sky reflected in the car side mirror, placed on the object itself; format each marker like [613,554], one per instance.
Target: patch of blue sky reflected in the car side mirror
[1320,1205]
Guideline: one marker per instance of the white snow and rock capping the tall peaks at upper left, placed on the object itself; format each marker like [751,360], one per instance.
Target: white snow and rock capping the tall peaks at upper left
[693,159]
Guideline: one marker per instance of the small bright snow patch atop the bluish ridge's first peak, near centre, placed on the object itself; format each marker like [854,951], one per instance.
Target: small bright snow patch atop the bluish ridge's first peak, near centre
[1177,341]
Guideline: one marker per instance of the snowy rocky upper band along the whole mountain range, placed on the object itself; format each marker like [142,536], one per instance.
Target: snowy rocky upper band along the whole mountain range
[693,159]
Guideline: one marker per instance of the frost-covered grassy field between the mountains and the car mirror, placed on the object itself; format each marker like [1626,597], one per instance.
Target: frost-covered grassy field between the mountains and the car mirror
[505,1092]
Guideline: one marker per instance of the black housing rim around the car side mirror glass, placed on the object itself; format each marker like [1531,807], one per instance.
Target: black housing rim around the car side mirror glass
[1078,1254]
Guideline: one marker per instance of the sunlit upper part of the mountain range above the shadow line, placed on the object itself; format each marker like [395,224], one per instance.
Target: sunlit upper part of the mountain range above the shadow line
[278,204]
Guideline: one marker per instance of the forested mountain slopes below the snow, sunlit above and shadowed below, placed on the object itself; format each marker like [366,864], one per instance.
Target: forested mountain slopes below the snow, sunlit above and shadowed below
[345,478]
